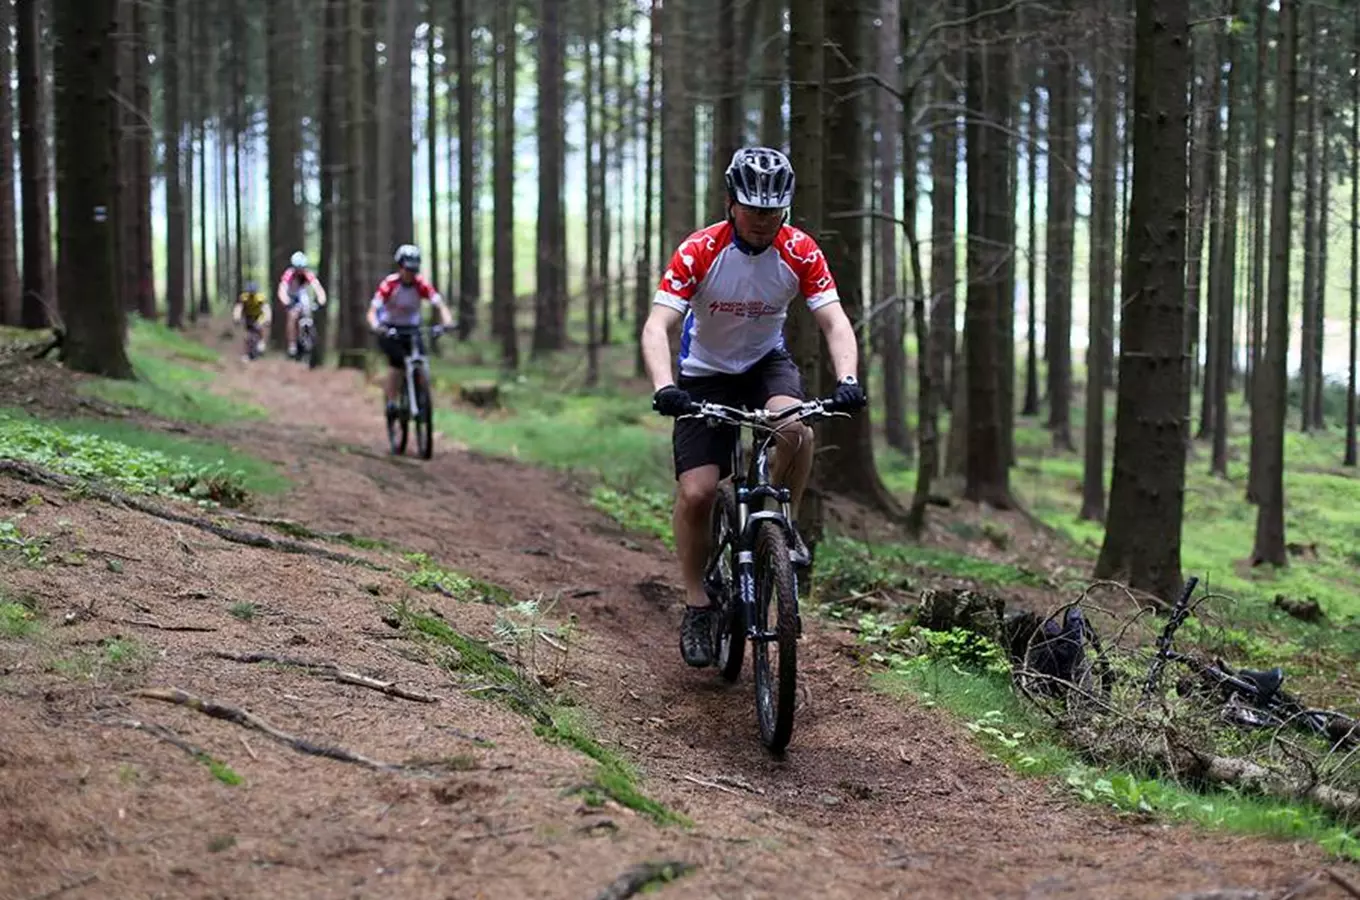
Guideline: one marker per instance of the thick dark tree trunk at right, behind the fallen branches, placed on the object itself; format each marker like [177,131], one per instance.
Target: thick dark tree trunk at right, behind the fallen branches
[1143,531]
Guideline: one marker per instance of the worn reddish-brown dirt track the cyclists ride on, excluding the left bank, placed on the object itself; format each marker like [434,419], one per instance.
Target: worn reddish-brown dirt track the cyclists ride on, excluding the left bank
[875,795]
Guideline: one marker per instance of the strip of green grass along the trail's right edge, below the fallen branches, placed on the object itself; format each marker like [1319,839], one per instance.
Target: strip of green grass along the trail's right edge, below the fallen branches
[1018,736]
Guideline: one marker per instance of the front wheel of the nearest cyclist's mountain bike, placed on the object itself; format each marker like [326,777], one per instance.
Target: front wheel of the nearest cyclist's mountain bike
[777,612]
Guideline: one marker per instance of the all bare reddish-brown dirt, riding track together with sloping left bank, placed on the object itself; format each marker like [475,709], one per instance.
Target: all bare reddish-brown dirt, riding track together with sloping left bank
[877,799]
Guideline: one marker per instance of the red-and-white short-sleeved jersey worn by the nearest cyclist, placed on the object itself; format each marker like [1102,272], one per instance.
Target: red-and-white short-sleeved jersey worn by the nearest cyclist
[736,302]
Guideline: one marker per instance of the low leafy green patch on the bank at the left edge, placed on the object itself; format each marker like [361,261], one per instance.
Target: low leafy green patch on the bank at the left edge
[135,460]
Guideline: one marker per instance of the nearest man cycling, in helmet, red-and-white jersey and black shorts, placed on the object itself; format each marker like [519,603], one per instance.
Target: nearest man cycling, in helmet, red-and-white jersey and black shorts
[731,286]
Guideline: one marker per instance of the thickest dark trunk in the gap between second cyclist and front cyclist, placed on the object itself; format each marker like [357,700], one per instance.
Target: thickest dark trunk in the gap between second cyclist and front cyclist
[551,269]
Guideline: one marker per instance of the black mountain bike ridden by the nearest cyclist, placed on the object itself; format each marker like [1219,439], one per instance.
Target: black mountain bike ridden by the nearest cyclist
[750,572]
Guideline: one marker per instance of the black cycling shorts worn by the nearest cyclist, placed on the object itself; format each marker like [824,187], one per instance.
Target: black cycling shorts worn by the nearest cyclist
[697,444]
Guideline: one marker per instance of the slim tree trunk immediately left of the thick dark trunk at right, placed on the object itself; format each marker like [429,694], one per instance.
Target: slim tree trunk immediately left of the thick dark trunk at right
[1104,150]
